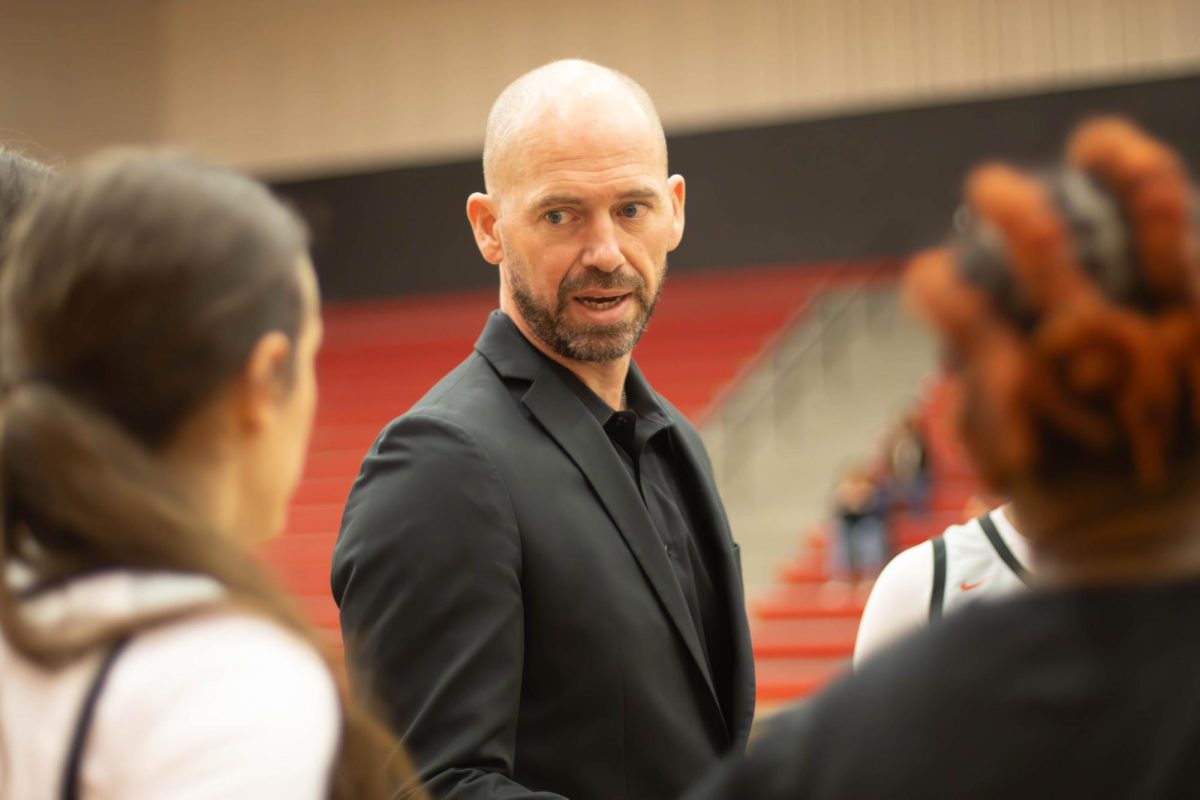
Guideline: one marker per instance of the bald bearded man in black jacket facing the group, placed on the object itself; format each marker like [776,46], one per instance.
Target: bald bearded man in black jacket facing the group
[535,568]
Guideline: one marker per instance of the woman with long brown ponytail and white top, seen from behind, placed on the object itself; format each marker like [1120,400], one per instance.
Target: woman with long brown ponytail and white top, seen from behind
[161,326]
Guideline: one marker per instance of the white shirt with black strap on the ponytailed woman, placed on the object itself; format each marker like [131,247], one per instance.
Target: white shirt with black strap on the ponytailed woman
[220,707]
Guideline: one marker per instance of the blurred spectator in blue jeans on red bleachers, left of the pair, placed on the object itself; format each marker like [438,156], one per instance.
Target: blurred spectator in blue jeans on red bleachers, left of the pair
[860,545]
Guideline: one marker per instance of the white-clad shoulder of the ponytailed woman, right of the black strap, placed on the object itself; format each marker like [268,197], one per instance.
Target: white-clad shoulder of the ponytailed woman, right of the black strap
[226,697]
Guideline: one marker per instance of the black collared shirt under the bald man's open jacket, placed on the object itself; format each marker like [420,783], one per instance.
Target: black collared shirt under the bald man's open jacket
[644,437]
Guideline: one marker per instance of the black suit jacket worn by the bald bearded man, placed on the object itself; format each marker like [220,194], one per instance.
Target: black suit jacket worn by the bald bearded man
[503,588]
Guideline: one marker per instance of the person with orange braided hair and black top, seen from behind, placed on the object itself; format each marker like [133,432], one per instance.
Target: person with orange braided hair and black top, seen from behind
[1070,309]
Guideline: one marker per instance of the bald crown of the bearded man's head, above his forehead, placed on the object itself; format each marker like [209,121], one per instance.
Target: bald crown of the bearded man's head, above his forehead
[553,95]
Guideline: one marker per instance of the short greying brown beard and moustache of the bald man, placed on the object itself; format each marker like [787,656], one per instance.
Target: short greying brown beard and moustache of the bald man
[586,341]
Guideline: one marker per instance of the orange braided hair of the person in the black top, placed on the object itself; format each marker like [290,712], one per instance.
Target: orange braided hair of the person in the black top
[1106,375]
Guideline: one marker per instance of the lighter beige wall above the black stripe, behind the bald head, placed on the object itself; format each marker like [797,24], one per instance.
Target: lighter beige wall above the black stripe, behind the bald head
[296,86]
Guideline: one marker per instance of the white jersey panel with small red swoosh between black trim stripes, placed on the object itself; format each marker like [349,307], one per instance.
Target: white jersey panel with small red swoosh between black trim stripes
[973,562]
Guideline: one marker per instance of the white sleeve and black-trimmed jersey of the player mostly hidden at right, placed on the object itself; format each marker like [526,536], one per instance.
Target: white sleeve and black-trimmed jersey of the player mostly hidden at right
[901,599]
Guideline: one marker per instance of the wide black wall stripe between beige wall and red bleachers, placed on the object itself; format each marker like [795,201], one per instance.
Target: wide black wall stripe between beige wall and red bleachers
[854,188]
